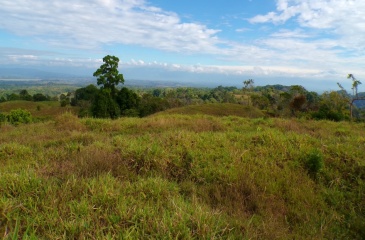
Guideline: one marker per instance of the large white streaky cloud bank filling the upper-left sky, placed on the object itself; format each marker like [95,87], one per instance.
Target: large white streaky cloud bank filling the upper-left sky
[89,24]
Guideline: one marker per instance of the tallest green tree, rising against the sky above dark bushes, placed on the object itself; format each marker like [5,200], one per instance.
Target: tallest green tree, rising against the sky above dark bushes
[108,75]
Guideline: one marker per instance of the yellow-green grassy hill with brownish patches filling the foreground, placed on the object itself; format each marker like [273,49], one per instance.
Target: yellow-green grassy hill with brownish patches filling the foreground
[182,176]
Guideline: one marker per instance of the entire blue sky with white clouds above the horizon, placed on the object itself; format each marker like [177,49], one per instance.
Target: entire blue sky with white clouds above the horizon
[314,43]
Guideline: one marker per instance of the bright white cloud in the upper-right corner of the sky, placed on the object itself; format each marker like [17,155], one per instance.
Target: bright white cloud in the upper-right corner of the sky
[343,19]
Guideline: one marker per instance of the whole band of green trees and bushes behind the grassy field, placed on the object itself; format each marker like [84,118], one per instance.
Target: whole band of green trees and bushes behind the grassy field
[107,100]
